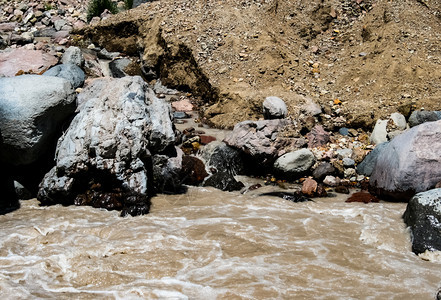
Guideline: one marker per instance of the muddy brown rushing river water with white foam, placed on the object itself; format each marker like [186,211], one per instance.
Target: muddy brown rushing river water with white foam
[210,244]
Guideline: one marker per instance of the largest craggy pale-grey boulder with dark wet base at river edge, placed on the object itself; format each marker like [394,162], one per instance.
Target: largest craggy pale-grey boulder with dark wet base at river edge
[104,159]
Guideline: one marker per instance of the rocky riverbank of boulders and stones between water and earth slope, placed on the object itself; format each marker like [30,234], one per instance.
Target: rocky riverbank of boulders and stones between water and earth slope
[81,126]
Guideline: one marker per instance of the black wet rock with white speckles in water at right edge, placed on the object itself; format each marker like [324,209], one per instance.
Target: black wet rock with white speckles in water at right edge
[423,216]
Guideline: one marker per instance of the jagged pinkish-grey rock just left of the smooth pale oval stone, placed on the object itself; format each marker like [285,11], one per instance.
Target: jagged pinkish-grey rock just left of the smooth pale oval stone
[258,139]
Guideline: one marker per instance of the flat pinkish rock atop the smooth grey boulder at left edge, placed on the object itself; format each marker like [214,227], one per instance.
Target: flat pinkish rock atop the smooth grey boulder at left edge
[32,61]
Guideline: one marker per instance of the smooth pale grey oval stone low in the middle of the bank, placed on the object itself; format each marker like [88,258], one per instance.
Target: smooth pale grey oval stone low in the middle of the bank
[294,164]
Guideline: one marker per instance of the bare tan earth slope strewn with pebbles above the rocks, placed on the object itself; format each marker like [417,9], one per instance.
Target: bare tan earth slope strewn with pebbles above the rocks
[359,59]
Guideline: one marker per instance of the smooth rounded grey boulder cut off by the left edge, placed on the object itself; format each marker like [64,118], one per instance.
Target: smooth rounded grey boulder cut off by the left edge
[32,109]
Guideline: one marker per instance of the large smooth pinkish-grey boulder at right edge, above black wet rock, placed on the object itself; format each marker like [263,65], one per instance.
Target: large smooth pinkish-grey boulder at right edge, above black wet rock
[409,164]
